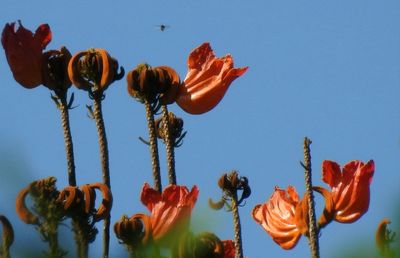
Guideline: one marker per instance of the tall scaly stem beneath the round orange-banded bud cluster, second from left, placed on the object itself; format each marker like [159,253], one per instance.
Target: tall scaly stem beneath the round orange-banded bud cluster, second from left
[98,116]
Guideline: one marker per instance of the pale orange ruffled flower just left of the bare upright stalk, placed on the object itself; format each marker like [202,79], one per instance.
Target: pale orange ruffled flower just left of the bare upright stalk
[283,216]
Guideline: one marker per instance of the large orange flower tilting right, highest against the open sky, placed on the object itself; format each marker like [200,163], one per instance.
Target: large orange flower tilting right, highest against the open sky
[207,80]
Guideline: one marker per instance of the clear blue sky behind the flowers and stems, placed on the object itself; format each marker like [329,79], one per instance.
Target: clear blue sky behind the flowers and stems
[329,70]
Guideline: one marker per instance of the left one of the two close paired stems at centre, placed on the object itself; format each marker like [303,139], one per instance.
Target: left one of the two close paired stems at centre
[153,147]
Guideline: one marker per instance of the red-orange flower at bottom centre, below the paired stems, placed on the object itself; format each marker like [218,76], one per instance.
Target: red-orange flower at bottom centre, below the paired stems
[171,210]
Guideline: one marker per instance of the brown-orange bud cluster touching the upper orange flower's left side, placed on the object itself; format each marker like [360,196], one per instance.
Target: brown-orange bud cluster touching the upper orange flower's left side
[157,85]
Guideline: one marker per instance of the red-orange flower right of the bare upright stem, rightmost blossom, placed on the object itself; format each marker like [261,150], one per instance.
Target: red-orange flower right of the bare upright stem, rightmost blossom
[349,198]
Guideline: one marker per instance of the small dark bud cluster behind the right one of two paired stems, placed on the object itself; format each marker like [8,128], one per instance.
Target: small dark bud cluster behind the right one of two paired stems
[175,126]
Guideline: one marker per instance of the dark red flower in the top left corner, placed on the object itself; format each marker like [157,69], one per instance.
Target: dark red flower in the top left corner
[24,52]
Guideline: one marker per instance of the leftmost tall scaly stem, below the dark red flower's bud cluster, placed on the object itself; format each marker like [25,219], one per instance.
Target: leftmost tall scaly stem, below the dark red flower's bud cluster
[67,137]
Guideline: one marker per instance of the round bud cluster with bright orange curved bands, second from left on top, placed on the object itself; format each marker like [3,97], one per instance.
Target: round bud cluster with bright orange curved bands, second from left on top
[94,70]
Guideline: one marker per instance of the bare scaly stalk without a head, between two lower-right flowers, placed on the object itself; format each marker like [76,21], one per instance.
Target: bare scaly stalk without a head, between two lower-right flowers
[313,239]
